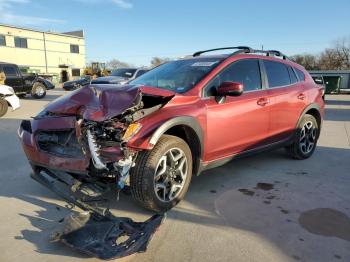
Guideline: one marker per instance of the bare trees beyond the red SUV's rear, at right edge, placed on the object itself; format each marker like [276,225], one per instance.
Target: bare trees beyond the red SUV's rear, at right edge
[336,57]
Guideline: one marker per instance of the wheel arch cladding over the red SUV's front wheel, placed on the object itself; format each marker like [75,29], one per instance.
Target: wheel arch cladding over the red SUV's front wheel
[188,129]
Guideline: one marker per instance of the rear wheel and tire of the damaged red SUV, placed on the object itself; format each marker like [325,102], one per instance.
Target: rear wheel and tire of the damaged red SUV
[298,149]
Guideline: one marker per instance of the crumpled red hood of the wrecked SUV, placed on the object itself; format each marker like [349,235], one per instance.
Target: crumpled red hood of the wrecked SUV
[102,102]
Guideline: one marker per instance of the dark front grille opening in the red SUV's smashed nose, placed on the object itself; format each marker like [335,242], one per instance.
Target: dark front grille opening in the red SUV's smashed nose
[60,142]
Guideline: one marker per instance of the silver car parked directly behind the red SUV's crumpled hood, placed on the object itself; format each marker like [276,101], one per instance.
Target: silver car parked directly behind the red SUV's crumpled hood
[120,76]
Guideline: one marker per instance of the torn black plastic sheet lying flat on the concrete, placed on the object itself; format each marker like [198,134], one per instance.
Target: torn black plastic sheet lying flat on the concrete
[107,237]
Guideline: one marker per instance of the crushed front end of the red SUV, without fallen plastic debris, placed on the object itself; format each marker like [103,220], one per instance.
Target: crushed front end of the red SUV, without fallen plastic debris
[85,133]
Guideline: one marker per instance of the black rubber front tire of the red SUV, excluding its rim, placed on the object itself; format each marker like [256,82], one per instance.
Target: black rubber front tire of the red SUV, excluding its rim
[142,176]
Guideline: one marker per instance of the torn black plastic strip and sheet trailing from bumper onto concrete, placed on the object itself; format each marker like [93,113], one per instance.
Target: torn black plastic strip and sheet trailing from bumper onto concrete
[96,231]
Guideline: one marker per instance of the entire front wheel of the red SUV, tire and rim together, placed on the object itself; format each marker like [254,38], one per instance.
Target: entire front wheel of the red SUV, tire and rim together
[161,176]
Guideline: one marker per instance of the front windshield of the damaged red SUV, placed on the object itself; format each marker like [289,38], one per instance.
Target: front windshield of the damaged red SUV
[178,76]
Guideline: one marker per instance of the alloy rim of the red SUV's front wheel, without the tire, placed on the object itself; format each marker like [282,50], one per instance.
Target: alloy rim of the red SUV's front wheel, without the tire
[170,175]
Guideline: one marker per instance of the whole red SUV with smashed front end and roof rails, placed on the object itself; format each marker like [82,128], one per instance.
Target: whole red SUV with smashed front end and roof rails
[173,122]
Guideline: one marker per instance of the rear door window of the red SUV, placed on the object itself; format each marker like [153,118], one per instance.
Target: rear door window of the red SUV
[277,74]
